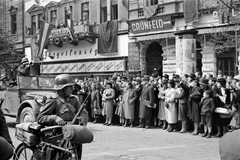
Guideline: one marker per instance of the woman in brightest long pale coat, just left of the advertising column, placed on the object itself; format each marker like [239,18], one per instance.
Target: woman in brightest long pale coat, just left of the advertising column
[170,105]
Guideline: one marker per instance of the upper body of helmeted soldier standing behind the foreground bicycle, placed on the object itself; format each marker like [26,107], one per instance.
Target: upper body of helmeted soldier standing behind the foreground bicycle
[64,106]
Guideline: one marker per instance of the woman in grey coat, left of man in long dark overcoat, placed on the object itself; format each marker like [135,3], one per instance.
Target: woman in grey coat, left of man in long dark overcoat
[130,106]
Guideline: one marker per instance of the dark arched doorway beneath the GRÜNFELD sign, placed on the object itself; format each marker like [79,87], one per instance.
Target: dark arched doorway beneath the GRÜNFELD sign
[154,59]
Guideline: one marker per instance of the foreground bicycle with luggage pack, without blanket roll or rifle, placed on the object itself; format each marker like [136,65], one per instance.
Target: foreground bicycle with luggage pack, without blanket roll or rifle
[44,143]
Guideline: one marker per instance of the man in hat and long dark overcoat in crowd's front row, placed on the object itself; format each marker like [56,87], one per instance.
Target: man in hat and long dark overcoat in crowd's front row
[147,95]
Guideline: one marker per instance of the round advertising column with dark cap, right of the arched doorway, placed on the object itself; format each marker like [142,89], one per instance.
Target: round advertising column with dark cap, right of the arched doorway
[185,51]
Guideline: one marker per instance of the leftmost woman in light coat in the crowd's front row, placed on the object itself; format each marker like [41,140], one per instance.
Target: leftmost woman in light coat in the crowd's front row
[109,104]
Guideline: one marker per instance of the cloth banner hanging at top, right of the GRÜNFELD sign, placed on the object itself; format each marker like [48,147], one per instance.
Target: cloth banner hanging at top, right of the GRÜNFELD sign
[190,10]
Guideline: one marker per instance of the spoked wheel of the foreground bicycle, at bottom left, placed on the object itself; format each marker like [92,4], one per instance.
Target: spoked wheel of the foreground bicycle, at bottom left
[24,152]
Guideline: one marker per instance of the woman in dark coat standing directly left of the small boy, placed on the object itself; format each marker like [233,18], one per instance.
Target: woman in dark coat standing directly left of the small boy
[195,95]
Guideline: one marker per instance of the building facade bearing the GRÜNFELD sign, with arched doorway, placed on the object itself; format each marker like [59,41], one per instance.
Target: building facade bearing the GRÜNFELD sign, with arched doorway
[167,44]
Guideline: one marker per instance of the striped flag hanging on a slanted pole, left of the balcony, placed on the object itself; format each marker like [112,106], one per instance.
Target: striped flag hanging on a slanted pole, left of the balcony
[45,29]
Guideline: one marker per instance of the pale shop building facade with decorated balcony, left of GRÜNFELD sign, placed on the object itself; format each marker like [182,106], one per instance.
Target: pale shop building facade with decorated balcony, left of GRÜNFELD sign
[73,43]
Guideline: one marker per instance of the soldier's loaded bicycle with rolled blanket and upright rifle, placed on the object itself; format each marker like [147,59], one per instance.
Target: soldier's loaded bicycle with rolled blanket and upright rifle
[51,142]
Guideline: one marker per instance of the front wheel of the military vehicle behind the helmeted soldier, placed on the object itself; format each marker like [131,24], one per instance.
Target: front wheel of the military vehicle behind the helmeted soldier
[27,115]
